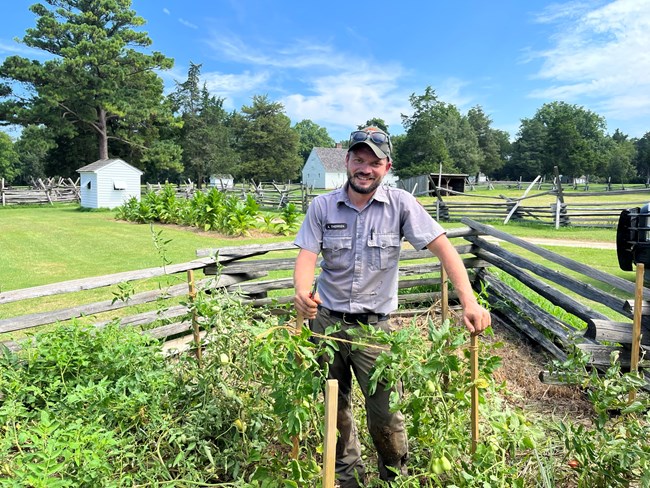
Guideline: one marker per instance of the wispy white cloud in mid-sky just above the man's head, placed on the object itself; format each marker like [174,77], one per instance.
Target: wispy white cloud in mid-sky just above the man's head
[313,81]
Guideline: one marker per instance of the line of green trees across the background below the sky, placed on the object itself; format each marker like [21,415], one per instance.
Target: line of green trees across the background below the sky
[100,96]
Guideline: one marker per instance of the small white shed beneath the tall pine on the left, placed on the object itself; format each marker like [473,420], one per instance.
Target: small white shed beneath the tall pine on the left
[108,183]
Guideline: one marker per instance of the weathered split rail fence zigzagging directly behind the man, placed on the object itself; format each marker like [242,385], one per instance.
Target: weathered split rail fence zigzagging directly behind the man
[261,274]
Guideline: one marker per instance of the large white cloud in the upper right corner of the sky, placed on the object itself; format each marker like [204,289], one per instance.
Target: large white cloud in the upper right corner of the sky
[601,55]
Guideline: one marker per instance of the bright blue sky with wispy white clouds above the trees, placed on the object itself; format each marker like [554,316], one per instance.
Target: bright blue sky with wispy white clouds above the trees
[340,63]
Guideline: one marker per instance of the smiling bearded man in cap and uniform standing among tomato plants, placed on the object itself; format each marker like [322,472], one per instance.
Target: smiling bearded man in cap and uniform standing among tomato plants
[358,230]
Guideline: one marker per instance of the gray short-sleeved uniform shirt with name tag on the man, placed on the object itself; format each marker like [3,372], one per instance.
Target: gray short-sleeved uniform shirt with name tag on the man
[360,249]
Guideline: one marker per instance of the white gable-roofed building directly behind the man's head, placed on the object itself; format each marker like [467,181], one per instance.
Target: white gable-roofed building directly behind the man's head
[325,168]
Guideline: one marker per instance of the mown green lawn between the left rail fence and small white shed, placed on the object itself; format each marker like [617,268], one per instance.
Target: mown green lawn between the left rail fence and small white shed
[48,244]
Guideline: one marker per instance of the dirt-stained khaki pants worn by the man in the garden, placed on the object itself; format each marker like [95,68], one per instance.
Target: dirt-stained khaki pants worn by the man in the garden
[386,428]
